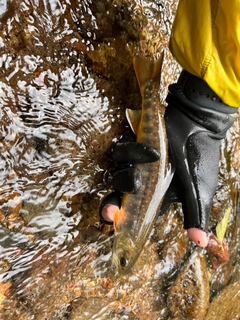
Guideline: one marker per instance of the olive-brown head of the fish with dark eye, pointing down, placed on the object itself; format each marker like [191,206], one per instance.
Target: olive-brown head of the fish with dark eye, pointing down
[125,252]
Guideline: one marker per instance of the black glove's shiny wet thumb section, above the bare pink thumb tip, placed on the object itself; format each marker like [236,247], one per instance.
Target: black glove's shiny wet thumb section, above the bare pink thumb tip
[202,179]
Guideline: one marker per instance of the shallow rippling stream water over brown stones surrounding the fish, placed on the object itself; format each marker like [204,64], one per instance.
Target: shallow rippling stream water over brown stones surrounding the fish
[66,79]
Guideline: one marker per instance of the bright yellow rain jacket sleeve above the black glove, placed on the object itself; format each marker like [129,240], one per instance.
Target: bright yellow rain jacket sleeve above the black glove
[205,41]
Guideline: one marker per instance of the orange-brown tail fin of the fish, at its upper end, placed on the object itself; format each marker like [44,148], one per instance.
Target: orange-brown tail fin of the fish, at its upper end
[146,69]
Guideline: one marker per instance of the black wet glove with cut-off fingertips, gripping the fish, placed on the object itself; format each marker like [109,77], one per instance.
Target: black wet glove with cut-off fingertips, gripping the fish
[196,121]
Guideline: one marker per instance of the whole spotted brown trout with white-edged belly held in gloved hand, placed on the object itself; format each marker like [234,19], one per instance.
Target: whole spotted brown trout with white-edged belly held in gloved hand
[134,221]
